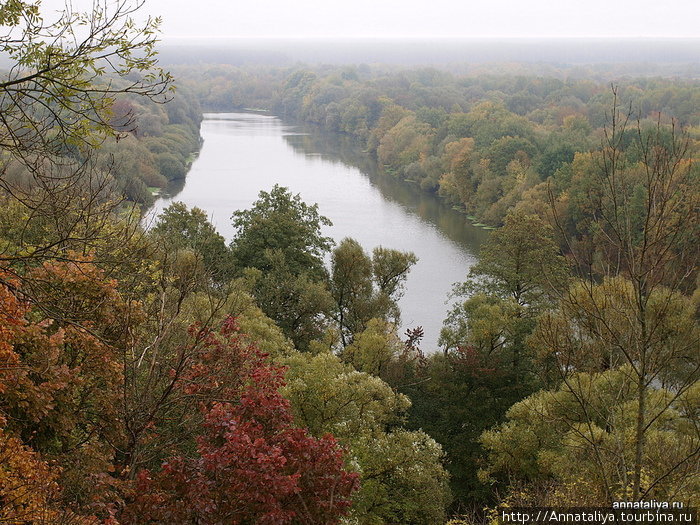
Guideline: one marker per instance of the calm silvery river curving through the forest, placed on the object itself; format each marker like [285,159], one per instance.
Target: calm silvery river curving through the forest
[245,153]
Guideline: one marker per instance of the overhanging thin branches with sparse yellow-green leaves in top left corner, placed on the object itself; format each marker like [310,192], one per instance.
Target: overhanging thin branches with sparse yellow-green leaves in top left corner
[58,92]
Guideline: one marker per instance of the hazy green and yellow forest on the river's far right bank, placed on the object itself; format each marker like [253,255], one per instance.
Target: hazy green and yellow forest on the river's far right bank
[484,142]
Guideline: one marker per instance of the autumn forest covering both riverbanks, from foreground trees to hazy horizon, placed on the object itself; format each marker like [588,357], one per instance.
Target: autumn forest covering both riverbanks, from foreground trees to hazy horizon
[164,375]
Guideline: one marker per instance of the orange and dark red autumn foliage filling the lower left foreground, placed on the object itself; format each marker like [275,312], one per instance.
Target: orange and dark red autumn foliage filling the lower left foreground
[62,380]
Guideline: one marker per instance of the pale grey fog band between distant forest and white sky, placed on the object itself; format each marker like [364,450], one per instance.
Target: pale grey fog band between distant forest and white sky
[651,55]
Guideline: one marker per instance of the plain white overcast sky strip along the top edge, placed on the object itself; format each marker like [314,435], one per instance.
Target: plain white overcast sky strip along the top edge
[423,18]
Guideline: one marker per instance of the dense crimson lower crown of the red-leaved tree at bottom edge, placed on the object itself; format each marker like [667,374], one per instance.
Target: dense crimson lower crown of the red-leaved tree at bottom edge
[252,466]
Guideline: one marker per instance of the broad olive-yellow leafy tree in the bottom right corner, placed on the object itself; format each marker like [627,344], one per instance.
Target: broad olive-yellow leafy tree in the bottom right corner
[574,445]
